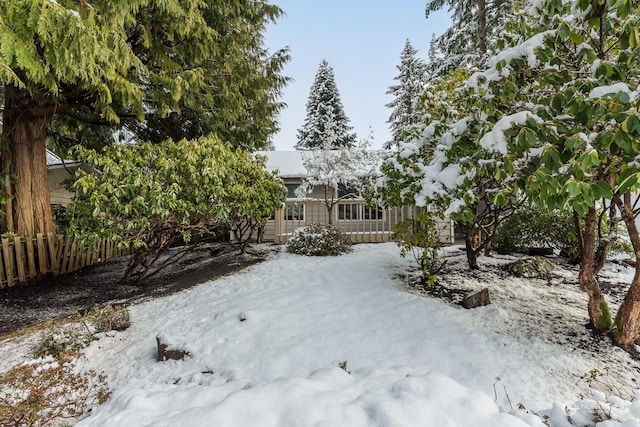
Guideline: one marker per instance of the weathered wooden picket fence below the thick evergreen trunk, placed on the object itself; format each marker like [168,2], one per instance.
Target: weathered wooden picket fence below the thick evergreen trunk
[23,259]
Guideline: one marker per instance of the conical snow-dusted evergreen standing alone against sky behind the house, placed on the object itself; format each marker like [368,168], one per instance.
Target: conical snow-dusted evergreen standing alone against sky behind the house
[325,114]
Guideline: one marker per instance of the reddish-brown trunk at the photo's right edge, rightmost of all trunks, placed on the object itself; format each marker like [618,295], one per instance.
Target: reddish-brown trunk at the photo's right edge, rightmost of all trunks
[628,318]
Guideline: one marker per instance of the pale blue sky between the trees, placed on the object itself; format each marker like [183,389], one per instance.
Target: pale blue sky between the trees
[362,41]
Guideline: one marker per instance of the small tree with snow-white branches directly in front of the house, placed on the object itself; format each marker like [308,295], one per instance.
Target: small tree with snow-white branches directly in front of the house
[353,168]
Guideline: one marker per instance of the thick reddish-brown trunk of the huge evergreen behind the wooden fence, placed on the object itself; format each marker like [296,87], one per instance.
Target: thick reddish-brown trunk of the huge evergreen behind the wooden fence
[24,157]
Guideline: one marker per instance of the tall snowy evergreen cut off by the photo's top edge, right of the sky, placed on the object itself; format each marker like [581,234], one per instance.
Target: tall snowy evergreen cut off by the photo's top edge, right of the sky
[473,33]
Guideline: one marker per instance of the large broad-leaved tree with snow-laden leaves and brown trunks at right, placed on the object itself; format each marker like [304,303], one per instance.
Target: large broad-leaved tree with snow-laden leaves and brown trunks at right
[554,116]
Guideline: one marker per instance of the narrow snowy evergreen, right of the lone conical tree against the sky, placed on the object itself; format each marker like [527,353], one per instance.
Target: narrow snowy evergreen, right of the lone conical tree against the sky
[407,92]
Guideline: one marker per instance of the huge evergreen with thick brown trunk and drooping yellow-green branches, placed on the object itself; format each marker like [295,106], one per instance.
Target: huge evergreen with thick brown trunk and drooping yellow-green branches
[98,63]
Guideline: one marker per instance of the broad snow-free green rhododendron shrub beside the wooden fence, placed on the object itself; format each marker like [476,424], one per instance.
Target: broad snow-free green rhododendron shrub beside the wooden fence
[152,197]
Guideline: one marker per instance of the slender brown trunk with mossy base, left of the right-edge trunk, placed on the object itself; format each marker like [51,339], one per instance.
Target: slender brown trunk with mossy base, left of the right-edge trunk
[599,316]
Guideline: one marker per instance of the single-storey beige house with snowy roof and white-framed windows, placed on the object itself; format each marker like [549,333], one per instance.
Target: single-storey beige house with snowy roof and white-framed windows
[361,222]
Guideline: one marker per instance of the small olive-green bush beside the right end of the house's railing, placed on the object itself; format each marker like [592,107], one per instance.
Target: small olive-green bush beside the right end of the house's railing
[418,236]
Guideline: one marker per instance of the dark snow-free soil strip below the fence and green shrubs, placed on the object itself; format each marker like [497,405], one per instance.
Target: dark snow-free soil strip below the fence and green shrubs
[54,297]
